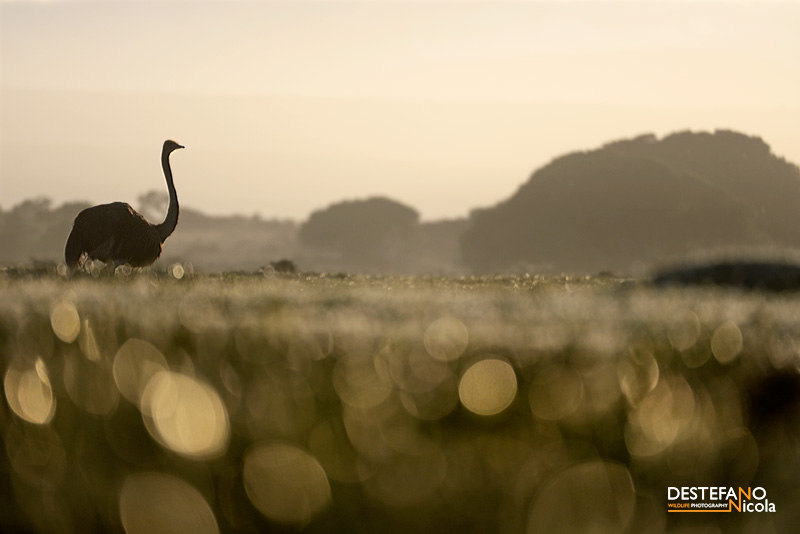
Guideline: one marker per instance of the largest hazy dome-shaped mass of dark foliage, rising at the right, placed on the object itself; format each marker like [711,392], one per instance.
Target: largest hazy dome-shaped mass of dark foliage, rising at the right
[638,201]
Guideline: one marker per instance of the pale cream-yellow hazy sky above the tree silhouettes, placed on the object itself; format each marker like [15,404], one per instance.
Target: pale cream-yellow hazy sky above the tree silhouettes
[286,107]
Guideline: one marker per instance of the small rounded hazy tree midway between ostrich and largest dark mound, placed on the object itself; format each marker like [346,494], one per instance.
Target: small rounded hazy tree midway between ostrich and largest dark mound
[372,233]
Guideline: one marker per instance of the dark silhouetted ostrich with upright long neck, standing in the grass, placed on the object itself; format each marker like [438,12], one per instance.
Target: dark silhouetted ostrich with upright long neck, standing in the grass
[119,234]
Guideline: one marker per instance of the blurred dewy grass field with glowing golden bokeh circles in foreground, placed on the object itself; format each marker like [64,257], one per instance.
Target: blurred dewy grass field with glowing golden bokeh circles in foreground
[170,402]
